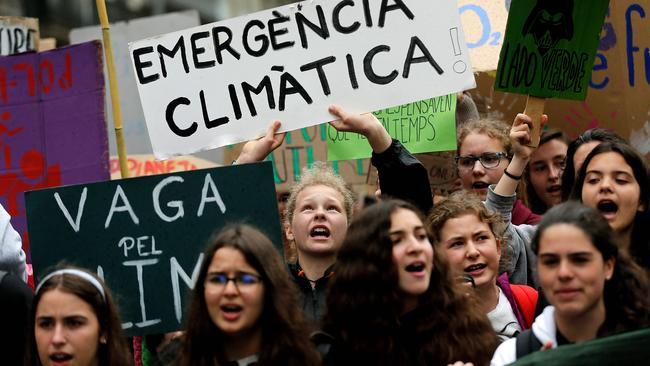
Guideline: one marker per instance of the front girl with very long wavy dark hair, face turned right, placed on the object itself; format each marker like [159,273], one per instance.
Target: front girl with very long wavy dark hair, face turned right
[393,300]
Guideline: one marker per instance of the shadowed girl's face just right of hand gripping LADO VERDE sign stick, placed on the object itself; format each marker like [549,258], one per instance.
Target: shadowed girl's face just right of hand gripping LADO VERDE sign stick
[543,178]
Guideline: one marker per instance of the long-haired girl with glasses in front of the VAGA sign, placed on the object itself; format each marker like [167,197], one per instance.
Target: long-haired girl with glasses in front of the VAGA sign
[244,310]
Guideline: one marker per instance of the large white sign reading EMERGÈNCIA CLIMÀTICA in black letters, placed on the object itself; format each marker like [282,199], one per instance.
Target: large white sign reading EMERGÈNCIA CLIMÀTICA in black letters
[223,83]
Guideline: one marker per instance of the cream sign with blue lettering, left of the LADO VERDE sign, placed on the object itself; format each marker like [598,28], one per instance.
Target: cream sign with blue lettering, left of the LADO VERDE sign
[484,24]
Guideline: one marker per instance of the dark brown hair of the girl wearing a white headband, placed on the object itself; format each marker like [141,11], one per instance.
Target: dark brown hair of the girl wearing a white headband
[115,351]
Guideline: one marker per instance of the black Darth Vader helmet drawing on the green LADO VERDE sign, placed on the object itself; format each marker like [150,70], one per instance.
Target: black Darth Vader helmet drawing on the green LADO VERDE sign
[549,22]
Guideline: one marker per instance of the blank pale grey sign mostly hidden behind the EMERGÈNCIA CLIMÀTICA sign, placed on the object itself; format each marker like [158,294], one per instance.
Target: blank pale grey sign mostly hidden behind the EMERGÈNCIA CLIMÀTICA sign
[134,127]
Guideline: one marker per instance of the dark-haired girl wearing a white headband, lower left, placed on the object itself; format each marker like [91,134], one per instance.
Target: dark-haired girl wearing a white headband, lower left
[75,322]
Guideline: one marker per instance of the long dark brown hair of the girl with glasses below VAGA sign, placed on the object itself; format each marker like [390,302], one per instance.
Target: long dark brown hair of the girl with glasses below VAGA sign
[285,335]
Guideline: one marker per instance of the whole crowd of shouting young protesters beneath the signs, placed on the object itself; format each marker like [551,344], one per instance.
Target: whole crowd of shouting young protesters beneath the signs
[487,275]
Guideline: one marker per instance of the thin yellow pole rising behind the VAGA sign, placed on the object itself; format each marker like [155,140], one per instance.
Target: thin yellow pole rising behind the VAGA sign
[115,97]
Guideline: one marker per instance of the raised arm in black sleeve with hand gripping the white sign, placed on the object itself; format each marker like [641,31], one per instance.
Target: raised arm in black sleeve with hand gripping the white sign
[401,175]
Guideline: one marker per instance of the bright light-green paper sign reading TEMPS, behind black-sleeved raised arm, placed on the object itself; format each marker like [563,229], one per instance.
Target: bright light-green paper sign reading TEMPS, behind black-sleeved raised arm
[424,126]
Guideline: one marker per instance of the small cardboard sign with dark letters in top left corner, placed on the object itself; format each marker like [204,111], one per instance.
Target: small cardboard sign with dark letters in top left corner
[18,35]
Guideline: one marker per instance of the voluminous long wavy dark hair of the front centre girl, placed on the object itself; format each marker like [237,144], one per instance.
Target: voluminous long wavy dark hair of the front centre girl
[364,306]
